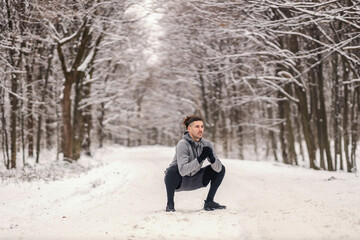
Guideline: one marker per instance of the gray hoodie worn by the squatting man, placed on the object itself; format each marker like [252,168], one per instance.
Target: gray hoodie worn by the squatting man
[187,152]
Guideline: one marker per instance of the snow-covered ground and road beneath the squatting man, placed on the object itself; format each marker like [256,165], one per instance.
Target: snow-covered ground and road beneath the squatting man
[124,198]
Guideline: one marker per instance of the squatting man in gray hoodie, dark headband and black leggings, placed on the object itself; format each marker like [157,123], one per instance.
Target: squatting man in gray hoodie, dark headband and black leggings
[186,173]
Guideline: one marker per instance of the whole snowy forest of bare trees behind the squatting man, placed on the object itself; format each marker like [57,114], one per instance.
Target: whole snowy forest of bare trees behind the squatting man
[277,75]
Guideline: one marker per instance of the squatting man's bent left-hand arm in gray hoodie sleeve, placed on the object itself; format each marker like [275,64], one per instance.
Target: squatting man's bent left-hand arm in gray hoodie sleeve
[185,164]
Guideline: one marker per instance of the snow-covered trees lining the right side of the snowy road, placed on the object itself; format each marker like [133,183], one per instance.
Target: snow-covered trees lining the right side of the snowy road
[280,73]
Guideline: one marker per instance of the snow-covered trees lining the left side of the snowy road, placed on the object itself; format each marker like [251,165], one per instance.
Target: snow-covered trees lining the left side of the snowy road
[71,74]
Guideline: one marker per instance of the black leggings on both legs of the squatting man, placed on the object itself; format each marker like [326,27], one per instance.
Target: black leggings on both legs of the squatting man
[173,181]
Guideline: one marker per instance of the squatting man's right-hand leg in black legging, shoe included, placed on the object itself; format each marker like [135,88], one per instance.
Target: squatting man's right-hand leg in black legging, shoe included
[215,180]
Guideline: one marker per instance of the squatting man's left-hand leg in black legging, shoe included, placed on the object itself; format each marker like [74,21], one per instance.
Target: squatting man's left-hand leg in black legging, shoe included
[172,181]
